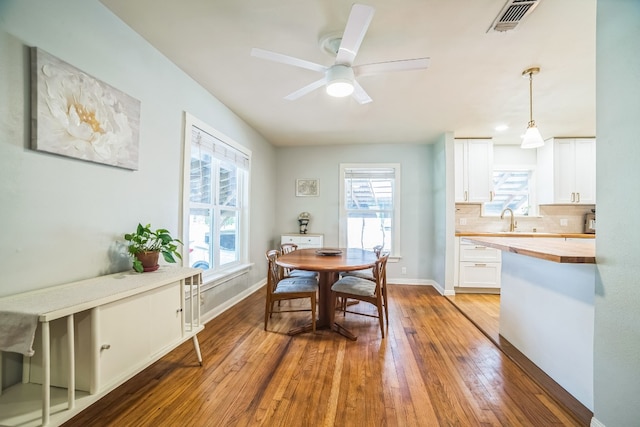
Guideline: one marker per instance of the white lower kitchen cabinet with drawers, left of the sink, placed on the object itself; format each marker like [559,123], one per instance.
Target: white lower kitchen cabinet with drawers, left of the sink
[478,266]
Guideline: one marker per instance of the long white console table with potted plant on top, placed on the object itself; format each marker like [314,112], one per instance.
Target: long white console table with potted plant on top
[93,335]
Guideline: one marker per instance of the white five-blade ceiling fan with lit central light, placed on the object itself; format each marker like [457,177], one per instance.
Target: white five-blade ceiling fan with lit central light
[340,78]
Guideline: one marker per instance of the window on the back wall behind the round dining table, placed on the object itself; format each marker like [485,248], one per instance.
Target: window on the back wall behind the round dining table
[369,206]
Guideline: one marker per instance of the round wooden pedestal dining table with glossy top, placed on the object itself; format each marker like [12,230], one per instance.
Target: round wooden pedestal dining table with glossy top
[328,262]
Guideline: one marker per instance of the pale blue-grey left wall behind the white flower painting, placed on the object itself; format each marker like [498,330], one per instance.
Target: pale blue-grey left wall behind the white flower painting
[64,219]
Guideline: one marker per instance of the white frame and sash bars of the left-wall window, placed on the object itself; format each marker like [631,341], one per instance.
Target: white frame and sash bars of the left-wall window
[243,175]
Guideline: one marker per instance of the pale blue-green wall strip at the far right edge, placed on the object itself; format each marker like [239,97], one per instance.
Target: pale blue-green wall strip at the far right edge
[617,319]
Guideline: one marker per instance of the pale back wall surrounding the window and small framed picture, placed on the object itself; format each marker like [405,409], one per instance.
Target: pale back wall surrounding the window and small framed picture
[323,163]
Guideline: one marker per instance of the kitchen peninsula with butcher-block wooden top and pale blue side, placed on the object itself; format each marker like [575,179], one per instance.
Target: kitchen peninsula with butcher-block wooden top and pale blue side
[547,306]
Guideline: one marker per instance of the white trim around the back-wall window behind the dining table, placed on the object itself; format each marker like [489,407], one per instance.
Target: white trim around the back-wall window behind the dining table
[342,222]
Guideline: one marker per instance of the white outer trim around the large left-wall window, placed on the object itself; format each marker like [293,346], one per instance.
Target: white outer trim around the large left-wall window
[244,232]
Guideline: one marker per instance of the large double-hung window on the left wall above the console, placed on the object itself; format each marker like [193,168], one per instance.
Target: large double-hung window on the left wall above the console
[217,203]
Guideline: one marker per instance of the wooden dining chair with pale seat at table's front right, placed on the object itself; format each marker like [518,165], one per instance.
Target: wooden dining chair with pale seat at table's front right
[371,291]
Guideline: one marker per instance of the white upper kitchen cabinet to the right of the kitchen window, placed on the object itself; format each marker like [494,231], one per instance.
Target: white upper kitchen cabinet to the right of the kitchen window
[567,171]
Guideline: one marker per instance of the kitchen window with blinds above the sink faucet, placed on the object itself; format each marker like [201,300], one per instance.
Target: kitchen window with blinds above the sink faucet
[512,189]
